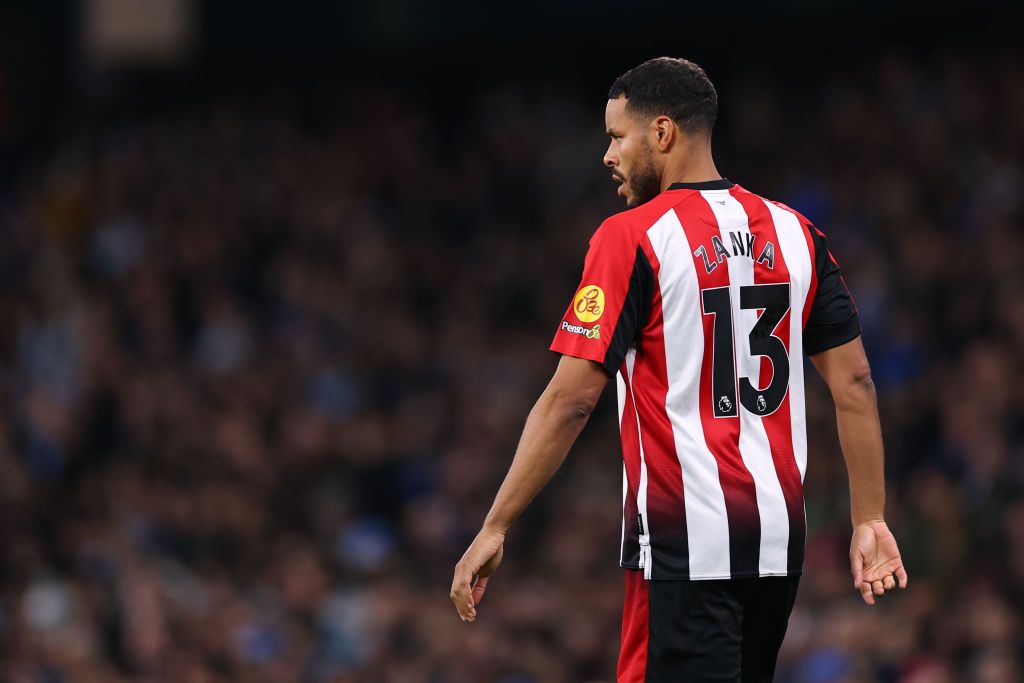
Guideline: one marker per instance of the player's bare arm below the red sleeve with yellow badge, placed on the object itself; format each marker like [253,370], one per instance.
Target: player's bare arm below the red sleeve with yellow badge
[552,428]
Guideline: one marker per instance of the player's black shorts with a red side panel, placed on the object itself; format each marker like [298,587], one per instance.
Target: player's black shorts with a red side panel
[727,631]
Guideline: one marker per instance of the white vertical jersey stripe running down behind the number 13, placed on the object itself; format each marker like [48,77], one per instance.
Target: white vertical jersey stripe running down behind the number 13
[755,440]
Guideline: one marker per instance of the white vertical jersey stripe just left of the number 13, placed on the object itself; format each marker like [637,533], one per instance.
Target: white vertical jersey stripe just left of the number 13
[707,517]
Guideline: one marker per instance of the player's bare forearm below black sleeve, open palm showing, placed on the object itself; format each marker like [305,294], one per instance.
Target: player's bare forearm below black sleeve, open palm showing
[875,559]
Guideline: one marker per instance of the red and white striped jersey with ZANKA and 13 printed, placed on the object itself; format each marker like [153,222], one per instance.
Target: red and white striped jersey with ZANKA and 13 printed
[703,304]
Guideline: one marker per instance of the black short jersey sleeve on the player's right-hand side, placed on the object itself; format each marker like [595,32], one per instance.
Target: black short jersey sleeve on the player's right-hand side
[834,320]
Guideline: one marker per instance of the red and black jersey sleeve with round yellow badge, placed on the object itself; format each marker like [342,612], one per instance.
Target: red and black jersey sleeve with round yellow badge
[612,304]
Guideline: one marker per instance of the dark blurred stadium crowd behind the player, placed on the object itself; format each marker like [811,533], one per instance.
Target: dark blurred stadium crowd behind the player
[279,283]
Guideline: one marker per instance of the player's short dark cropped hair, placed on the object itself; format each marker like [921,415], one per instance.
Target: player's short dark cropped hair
[671,87]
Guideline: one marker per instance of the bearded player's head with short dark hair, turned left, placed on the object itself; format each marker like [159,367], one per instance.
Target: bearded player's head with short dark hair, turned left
[663,109]
